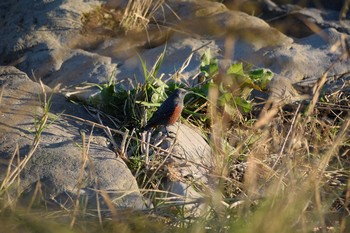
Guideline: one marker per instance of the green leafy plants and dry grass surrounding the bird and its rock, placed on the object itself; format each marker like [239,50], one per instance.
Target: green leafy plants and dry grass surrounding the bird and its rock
[289,175]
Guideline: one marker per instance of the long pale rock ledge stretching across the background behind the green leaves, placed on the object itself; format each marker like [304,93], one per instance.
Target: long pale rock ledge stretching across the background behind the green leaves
[47,43]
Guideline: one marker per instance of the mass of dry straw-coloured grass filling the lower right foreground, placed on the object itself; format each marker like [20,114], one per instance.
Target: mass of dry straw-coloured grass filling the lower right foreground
[291,174]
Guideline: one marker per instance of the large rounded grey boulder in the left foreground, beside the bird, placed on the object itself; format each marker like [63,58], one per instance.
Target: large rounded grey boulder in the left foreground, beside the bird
[65,164]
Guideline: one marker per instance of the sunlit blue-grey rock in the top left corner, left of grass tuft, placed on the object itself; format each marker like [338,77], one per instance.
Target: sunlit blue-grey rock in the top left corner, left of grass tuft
[38,42]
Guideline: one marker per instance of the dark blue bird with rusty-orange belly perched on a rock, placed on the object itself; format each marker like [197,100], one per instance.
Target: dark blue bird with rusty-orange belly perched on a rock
[170,110]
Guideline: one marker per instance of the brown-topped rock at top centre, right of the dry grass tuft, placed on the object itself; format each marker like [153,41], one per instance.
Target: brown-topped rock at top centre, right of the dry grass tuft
[204,28]
